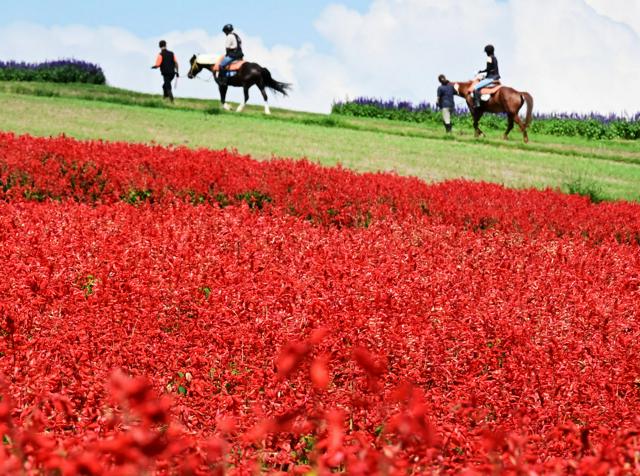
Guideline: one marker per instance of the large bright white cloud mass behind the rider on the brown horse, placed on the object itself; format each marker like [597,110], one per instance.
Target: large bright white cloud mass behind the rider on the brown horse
[572,55]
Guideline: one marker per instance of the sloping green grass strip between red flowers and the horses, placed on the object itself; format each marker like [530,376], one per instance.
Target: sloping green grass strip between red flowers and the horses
[603,169]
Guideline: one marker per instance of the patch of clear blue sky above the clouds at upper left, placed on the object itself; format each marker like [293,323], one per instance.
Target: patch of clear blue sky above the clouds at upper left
[275,21]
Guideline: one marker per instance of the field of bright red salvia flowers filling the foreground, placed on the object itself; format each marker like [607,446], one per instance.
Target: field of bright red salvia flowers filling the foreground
[171,311]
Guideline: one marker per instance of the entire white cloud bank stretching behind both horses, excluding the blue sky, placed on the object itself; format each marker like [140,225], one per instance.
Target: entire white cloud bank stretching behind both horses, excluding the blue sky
[572,55]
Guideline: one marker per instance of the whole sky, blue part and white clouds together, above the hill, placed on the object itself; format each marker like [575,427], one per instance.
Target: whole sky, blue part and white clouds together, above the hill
[571,55]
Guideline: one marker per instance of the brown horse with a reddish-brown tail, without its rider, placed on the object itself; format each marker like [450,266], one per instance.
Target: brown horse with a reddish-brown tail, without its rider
[504,99]
